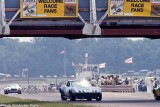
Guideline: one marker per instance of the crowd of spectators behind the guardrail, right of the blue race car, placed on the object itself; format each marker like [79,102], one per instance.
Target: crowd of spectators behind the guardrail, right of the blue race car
[138,84]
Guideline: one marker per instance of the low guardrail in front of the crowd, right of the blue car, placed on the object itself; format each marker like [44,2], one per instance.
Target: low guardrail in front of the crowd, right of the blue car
[118,88]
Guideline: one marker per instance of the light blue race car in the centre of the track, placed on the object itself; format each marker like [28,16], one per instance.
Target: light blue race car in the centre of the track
[80,89]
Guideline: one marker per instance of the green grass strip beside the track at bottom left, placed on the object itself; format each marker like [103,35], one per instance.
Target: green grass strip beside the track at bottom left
[17,102]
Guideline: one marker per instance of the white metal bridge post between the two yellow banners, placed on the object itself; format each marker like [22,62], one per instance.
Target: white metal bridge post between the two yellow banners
[92,28]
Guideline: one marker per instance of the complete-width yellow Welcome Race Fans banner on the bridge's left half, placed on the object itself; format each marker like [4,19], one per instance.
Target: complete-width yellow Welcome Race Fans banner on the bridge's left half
[48,8]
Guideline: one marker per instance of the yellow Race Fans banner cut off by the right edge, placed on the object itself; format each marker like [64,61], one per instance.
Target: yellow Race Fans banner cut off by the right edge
[134,8]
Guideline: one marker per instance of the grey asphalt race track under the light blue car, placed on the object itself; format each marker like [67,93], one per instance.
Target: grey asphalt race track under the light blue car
[138,99]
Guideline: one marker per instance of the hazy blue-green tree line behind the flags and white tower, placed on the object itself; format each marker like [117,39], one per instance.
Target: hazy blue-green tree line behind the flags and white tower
[42,56]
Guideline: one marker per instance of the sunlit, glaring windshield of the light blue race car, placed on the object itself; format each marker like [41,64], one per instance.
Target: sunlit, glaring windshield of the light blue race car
[82,83]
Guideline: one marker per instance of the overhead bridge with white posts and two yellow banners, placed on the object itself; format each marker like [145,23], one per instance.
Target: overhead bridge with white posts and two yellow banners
[79,18]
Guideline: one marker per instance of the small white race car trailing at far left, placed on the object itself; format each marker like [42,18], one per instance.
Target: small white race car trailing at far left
[13,88]
